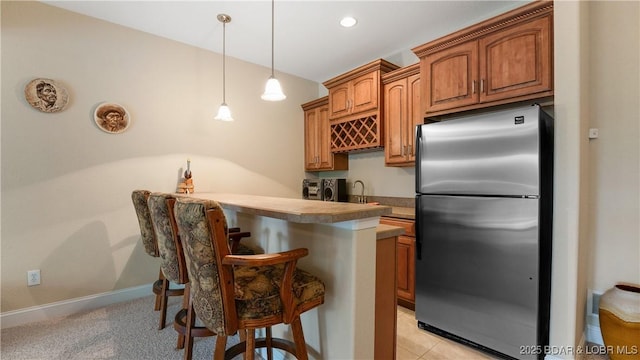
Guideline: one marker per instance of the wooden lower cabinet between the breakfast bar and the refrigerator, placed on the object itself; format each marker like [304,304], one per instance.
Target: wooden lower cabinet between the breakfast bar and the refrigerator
[405,261]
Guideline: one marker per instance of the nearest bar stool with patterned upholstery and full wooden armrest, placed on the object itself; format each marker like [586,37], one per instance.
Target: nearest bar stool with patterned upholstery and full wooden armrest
[241,293]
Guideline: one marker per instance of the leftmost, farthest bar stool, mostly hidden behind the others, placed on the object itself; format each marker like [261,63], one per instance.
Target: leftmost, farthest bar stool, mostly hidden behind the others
[161,287]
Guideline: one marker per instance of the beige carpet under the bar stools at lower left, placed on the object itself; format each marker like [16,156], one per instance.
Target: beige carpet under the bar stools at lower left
[126,331]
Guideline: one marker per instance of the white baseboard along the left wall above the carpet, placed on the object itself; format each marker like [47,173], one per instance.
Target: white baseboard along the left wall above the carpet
[67,307]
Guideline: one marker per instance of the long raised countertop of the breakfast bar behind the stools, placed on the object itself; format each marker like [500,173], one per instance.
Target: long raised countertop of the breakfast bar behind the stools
[296,210]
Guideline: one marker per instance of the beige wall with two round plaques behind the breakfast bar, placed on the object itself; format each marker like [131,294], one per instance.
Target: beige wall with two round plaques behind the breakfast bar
[66,185]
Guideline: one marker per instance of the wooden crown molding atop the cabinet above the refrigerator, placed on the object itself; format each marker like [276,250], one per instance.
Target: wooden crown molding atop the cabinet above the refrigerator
[532,10]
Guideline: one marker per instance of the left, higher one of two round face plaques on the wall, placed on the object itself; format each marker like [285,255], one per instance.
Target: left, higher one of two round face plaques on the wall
[46,95]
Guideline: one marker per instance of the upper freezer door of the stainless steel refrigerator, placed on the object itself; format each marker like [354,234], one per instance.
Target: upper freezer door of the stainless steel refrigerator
[493,153]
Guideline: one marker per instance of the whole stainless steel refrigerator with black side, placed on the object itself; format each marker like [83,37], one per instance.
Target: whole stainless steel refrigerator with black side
[483,222]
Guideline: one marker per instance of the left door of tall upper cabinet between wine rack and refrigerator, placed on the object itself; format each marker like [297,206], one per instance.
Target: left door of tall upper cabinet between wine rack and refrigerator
[395,120]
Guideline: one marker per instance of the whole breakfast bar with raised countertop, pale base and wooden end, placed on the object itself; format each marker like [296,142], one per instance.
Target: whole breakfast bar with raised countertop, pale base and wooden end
[348,249]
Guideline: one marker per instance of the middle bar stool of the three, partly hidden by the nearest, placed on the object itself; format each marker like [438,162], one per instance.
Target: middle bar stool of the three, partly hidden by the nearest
[174,268]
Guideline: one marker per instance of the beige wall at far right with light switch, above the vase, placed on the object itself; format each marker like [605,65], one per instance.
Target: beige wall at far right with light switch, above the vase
[614,206]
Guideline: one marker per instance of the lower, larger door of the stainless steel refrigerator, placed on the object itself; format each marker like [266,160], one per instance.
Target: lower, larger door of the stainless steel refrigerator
[477,269]
